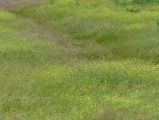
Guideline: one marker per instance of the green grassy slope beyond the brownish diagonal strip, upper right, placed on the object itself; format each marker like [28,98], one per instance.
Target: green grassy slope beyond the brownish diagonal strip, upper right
[121,31]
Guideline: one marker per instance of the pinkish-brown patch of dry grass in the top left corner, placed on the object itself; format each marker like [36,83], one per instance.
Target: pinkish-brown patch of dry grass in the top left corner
[12,4]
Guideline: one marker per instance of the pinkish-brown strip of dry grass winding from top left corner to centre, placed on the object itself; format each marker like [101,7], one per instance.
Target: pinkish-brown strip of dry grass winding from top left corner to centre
[69,48]
